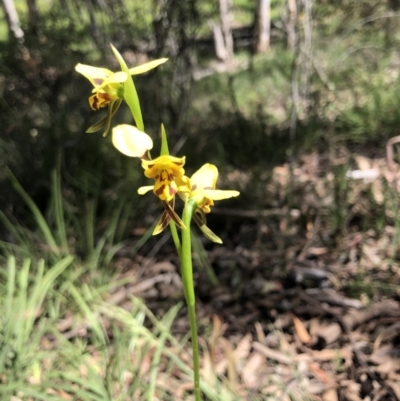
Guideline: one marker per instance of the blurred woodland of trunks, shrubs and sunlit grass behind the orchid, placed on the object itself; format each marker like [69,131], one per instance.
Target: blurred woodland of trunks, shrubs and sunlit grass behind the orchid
[249,85]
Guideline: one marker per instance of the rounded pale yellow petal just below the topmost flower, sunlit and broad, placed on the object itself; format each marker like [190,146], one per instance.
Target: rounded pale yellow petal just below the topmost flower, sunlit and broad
[130,141]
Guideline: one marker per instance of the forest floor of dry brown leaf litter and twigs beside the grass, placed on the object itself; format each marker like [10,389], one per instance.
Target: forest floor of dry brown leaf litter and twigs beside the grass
[305,308]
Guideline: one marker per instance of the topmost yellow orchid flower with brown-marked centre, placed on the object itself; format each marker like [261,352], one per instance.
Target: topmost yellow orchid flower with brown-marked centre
[108,88]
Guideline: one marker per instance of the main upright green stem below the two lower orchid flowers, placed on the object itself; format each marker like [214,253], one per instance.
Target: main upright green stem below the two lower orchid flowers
[187,279]
